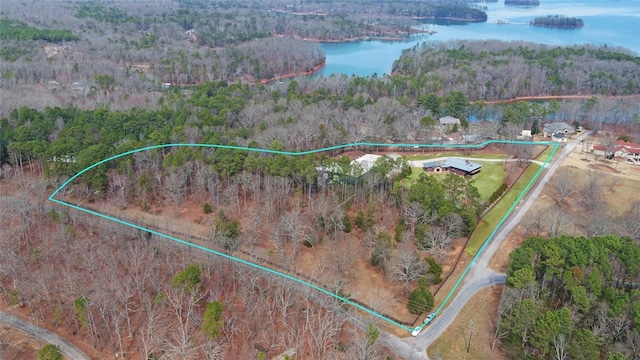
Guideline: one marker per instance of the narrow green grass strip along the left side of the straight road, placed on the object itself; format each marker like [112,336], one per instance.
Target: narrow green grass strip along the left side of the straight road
[489,222]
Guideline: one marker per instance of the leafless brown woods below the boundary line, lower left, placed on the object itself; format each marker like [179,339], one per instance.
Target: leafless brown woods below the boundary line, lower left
[124,291]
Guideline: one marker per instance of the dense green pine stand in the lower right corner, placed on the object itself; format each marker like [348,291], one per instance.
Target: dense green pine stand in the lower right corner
[572,297]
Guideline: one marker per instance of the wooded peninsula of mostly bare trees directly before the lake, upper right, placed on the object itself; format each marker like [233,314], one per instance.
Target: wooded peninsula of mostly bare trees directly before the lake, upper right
[494,70]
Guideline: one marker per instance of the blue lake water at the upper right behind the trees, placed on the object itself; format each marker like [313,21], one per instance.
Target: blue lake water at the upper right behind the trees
[614,23]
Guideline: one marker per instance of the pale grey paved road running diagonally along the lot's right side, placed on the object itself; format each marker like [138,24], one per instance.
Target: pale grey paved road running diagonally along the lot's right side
[480,276]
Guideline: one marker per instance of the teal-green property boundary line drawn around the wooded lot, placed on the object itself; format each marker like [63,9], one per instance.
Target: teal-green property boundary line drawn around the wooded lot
[293,153]
